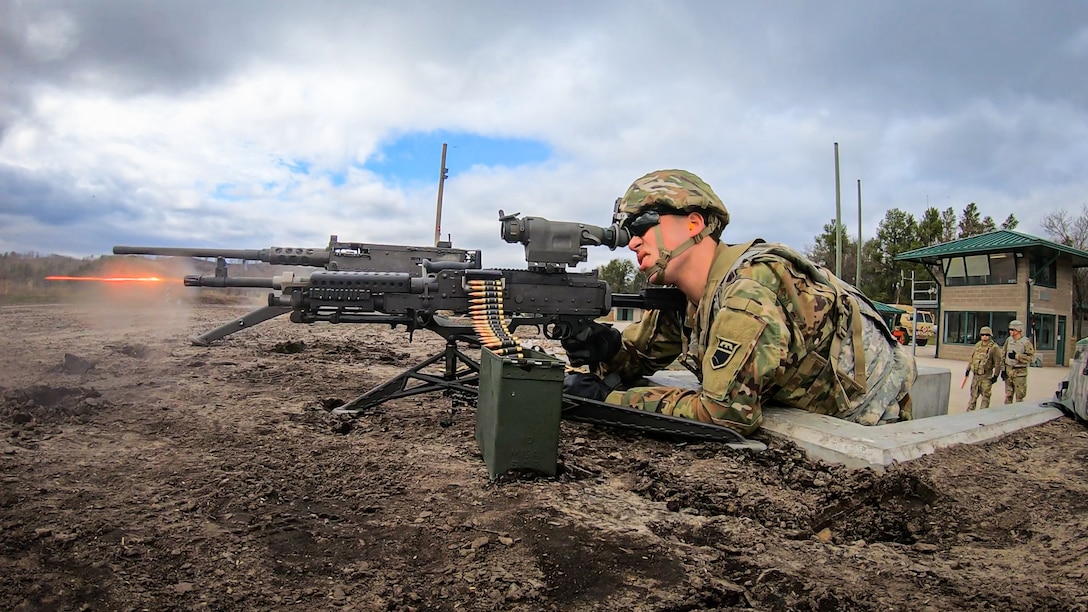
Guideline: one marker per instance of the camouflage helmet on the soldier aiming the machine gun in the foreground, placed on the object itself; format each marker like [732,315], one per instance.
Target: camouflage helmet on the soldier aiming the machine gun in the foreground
[677,190]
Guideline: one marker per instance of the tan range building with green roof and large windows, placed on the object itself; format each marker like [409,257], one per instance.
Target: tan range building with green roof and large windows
[995,278]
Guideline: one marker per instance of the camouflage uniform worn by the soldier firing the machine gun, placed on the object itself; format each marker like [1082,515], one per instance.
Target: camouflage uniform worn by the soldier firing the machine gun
[772,327]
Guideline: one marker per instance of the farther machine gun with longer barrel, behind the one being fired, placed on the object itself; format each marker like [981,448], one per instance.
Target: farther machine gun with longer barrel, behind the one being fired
[339,256]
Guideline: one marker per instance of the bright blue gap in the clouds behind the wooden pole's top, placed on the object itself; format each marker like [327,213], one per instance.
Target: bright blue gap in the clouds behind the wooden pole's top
[415,157]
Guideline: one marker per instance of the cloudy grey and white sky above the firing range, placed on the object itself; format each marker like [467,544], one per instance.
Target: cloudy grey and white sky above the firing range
[246,125]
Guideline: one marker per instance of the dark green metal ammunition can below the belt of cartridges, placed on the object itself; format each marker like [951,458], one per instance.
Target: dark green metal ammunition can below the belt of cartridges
[518,412]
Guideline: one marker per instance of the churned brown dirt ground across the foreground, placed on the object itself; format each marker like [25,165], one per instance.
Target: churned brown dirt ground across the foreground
[141,472]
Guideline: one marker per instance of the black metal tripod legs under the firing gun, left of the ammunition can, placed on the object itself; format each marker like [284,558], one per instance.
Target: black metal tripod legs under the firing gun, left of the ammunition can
[454,378]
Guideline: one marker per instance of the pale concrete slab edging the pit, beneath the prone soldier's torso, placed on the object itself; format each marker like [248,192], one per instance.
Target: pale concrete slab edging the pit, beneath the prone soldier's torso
[855,446]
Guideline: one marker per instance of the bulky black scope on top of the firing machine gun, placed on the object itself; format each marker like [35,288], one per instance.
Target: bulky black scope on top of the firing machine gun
[559,244]
